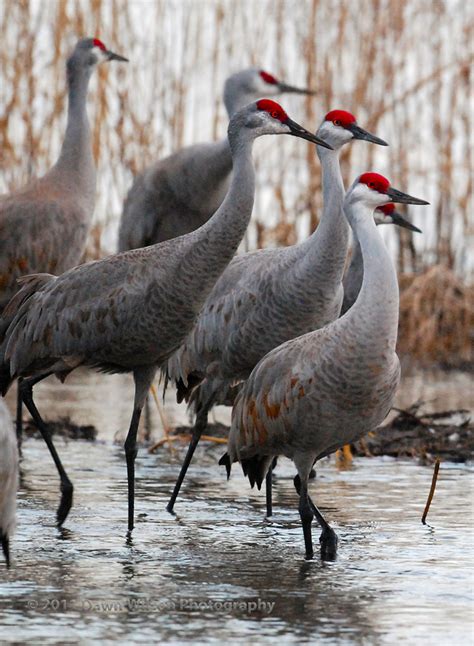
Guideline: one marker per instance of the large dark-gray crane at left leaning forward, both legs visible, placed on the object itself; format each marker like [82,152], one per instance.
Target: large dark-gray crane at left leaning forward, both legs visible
[130,311]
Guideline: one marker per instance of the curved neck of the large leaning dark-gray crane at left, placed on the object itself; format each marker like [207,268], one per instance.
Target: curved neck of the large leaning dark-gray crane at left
[215,243]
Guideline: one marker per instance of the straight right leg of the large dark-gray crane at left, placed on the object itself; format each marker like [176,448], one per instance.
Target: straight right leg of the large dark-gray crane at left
[143,380]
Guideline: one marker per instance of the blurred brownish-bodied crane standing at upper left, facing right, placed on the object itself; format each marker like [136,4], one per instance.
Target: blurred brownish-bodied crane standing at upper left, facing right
[44,225]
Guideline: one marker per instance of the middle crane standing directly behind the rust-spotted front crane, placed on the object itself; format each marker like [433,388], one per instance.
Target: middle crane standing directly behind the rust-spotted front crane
[267,297]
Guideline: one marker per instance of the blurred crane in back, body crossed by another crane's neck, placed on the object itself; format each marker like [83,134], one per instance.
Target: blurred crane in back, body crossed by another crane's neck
[178,194]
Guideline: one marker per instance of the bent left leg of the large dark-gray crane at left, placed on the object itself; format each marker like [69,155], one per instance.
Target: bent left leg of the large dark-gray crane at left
[26,389]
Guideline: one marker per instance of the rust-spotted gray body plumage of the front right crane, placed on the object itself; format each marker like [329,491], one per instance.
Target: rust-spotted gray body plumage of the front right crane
[315,393]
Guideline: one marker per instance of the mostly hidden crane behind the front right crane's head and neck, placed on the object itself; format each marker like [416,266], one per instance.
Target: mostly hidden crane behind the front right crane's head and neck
[355,271]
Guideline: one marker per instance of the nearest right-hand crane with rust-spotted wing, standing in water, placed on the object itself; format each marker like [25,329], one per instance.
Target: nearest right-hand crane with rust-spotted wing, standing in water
[319,391]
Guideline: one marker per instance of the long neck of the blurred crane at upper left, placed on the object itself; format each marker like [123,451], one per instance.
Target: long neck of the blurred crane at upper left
[75,164]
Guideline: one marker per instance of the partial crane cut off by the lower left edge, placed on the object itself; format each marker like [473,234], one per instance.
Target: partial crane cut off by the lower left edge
[8,480]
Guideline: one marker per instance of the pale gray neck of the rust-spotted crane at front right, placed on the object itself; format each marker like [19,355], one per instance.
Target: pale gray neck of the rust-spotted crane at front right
[376,310]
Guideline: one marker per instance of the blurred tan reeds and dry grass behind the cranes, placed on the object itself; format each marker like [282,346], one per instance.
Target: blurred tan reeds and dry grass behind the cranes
[403,67]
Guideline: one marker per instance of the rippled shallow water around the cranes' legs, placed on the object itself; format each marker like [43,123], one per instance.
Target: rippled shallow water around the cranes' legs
[219,571]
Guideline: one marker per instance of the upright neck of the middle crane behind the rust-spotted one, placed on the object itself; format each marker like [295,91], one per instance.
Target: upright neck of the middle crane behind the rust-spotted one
[324,252]
